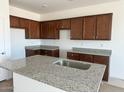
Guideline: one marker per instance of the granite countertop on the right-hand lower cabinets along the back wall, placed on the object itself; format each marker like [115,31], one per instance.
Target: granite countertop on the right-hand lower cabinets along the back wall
[101,52]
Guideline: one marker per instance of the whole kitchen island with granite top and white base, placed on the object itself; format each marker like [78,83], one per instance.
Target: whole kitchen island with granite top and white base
[41,74]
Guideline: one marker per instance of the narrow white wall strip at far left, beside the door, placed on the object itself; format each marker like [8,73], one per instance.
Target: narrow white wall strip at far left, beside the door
[4,14]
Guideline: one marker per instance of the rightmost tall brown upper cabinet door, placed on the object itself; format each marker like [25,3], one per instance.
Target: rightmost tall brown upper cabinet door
[104,25]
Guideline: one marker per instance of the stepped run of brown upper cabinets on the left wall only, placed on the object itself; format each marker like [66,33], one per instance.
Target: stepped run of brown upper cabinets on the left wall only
[32,28]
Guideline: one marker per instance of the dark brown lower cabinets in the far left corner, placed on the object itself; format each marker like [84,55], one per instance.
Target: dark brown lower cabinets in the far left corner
[53,53]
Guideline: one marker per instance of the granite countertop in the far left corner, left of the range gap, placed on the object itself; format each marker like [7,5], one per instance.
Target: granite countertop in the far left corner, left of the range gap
[44,47]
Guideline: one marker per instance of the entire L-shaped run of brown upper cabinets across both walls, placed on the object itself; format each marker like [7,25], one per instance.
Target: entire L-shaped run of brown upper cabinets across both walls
[96,27]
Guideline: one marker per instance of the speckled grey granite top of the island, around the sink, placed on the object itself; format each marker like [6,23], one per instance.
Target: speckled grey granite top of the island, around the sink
[42,69]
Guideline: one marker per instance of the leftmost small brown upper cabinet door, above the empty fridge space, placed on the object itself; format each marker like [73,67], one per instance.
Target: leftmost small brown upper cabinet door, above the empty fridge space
[14,22]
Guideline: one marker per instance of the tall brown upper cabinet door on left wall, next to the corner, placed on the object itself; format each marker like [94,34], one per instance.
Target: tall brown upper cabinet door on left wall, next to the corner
[34,30]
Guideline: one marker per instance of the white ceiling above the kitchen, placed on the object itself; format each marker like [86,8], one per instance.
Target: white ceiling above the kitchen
[46,6]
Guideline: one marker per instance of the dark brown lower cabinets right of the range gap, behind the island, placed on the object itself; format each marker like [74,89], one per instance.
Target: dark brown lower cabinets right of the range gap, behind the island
[93,59]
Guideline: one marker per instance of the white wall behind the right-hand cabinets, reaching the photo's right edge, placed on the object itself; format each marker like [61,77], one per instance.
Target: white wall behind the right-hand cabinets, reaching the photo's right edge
[116,44]
